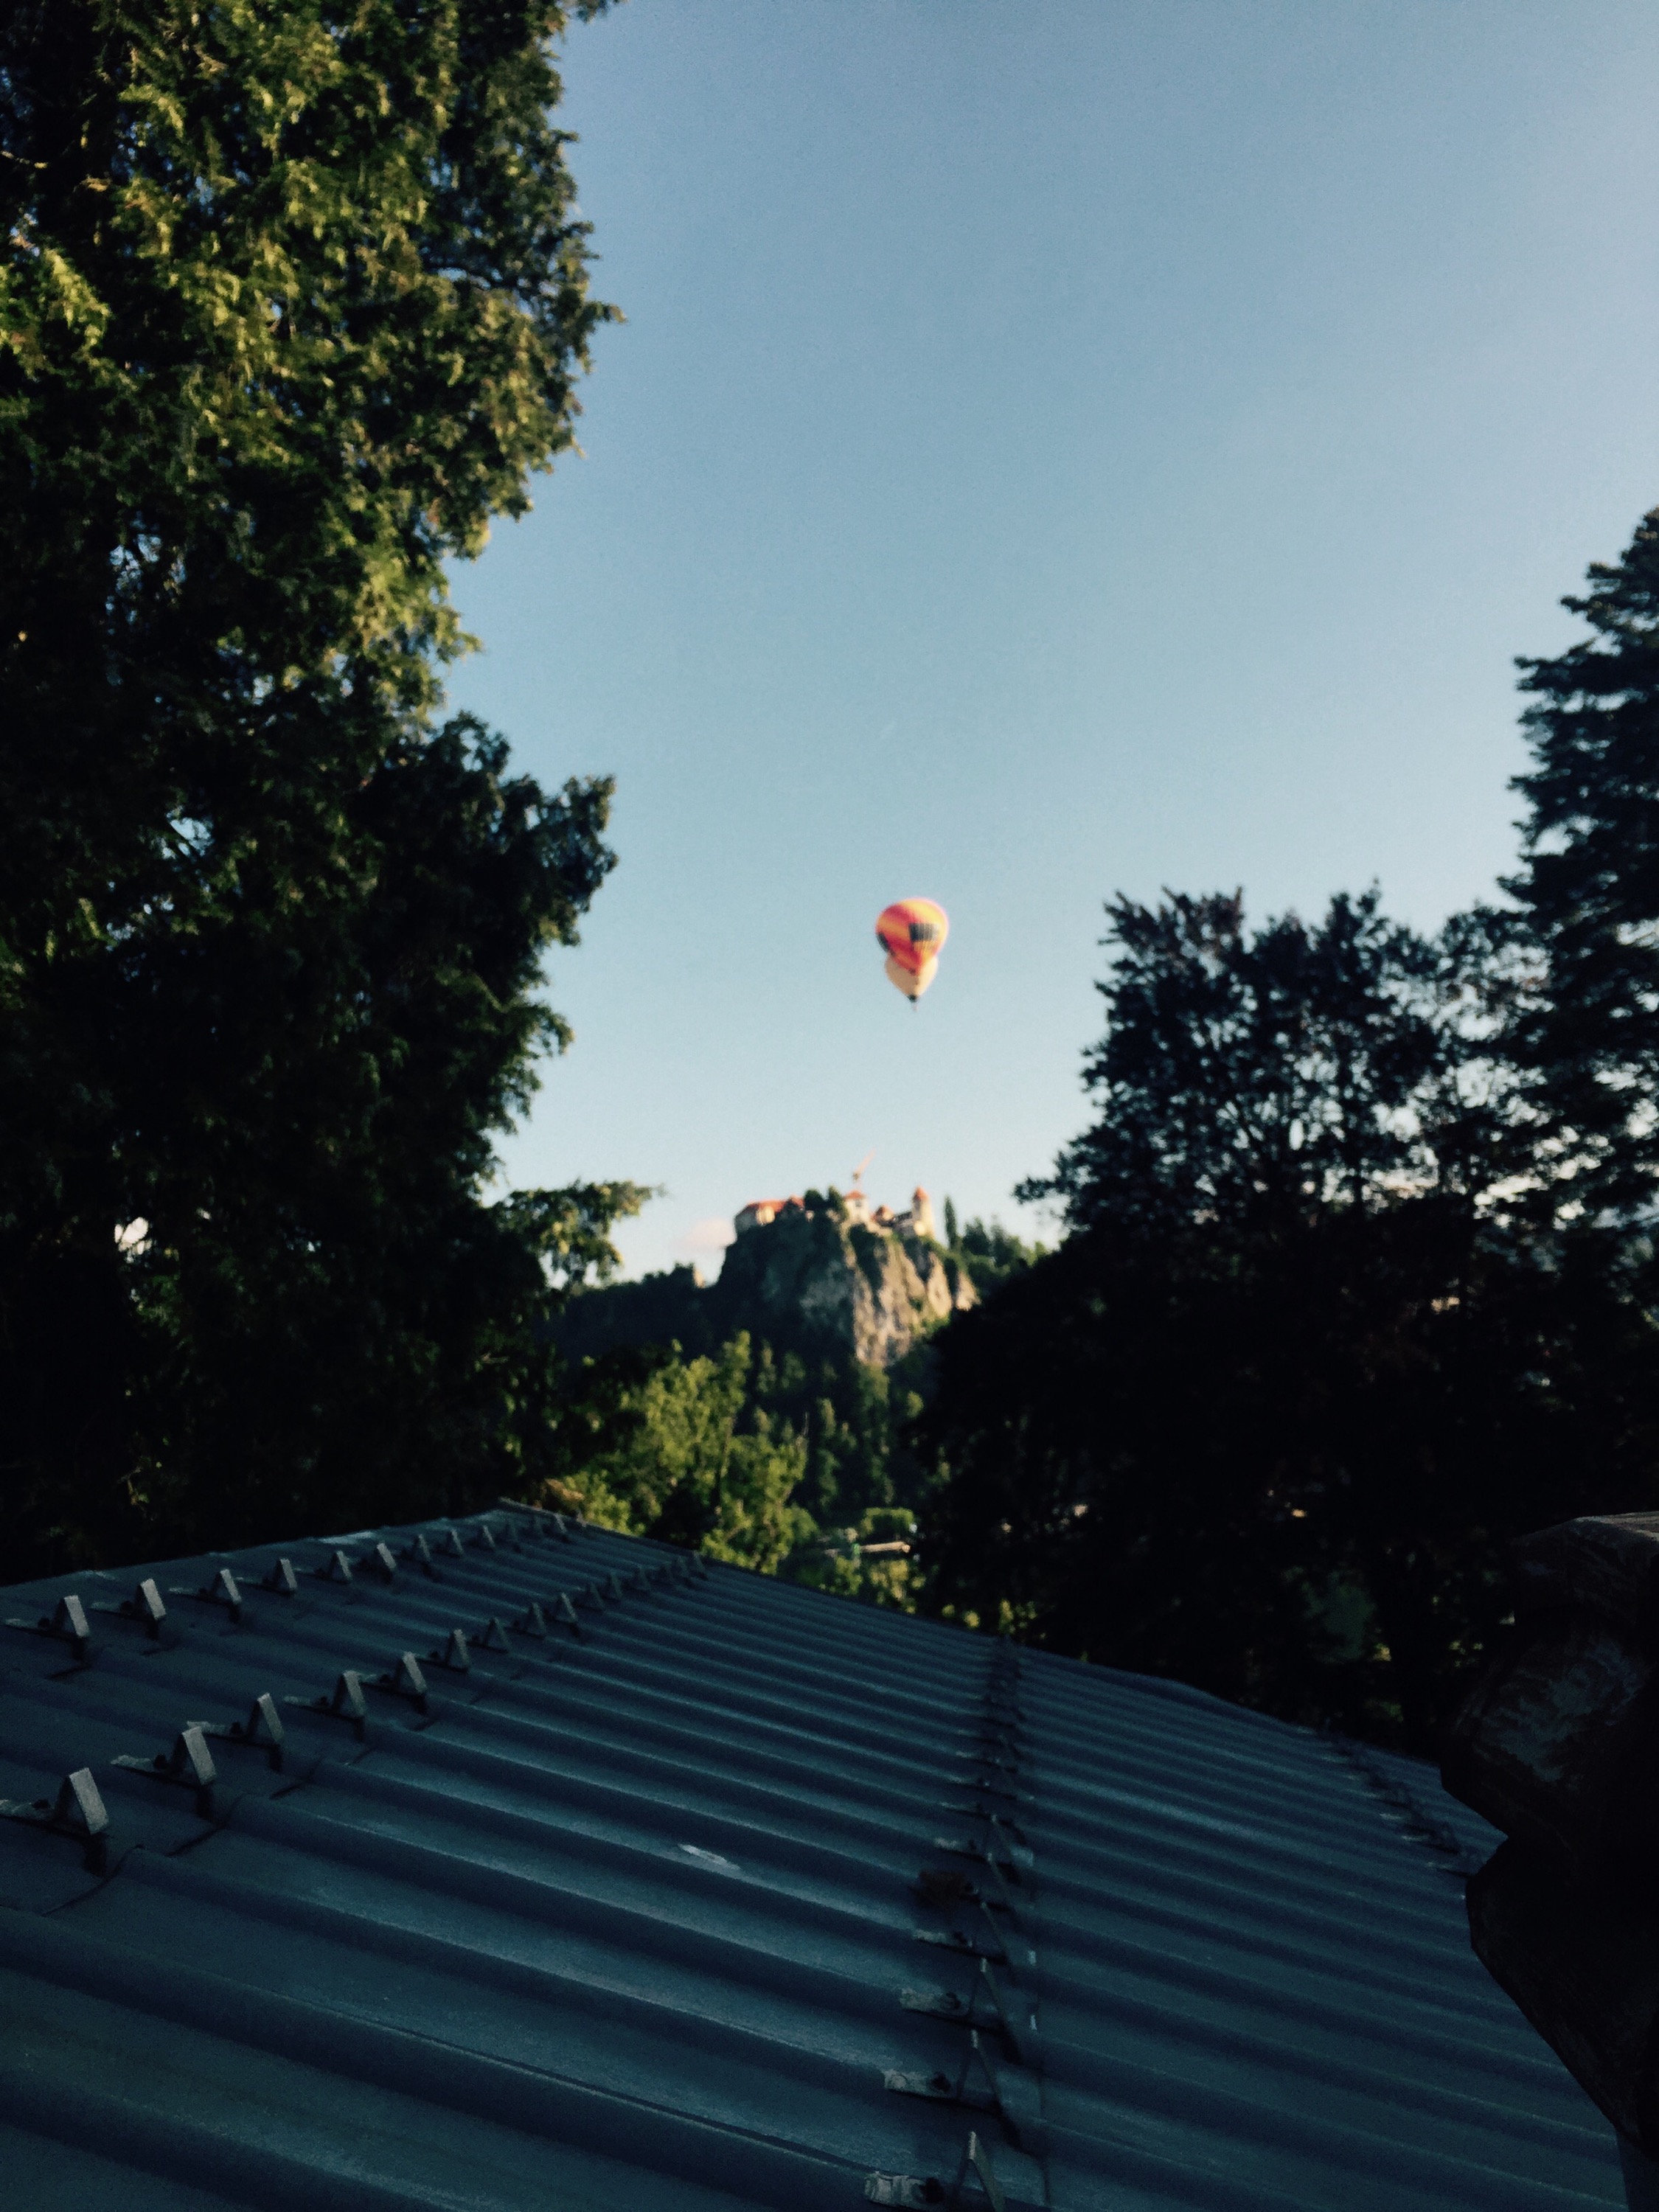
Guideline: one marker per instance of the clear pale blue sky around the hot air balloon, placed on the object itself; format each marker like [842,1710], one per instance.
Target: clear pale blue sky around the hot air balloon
[1054,450]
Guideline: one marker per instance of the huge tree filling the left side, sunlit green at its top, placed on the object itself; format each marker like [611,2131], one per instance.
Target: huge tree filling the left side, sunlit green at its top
[291,306]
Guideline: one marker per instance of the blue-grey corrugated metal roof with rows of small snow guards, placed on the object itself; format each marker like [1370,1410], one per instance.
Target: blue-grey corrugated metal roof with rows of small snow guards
[698,1890]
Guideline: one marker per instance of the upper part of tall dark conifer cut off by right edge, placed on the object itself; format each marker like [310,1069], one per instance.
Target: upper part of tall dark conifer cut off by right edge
[1589,1036]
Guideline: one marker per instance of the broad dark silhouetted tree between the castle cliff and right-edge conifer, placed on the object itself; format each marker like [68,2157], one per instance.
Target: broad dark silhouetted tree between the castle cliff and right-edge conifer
[1271,1412]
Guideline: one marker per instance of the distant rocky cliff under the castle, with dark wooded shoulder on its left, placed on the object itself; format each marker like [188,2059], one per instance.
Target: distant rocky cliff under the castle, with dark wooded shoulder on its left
[804,1284]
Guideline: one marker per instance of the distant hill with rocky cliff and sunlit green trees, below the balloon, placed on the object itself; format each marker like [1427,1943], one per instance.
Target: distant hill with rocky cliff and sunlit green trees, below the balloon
[769,1417]
